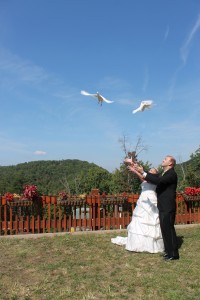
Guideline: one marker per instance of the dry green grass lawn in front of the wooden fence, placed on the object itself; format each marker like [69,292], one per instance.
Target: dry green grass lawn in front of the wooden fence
[89,266]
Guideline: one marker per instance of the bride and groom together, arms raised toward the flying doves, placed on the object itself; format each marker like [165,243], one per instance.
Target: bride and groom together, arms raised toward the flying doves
[152,226]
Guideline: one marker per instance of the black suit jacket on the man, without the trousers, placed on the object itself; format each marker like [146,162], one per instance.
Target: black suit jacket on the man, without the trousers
[166,189]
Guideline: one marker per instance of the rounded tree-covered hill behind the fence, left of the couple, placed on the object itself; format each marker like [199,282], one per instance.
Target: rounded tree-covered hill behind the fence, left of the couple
[53,176]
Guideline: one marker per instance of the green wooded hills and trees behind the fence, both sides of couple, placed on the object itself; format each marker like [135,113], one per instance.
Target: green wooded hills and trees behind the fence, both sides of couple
[76,176]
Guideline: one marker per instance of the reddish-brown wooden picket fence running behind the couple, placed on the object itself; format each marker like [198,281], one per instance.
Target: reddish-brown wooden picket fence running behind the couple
[92,212]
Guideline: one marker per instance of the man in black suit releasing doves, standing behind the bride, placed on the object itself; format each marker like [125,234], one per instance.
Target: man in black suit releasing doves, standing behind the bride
[166,194]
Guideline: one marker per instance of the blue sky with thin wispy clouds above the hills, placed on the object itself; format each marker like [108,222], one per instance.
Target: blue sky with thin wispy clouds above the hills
[129,51]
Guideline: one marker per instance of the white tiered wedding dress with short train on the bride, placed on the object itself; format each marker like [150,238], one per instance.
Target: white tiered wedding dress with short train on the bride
[144,233]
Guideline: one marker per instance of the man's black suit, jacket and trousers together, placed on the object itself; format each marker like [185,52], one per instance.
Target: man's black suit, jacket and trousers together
[166,193]
